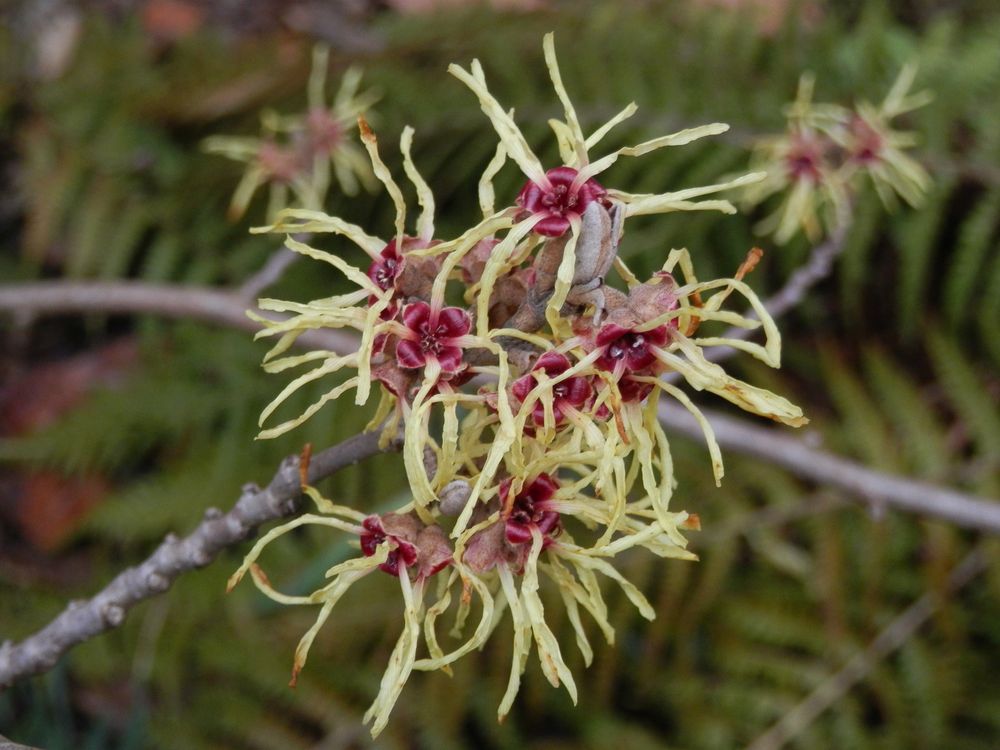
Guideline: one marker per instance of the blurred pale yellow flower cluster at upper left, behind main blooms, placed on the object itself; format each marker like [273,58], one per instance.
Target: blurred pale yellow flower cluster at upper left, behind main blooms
[295,153]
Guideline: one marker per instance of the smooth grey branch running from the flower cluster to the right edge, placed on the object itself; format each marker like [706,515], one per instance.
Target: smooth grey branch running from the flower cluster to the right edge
[874,487]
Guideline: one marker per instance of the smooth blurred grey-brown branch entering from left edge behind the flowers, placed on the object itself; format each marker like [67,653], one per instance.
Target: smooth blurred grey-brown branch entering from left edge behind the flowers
[167,300]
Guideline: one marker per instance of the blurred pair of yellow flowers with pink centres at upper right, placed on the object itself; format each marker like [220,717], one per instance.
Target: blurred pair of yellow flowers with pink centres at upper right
[818,163]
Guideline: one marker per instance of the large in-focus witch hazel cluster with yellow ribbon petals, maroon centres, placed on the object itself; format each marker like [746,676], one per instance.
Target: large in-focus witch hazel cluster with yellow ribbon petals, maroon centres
[549,460]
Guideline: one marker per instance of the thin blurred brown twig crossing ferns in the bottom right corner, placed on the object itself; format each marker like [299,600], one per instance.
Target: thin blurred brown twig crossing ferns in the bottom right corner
[891,638]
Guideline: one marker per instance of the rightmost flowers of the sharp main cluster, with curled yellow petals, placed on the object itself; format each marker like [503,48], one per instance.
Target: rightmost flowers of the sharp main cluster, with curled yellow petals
[651,331]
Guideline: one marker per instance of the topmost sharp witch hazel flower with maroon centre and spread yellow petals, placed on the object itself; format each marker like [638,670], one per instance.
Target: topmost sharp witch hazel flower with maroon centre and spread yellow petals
[553,201]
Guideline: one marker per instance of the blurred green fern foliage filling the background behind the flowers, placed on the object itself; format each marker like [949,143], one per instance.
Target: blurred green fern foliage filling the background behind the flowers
[896,358]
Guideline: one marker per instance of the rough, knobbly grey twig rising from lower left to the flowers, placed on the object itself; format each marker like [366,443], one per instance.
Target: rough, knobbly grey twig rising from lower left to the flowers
[107,609]
